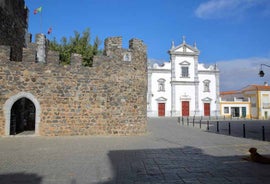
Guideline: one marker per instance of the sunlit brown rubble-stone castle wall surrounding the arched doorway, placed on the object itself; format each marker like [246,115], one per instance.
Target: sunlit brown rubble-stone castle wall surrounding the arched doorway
[107,99]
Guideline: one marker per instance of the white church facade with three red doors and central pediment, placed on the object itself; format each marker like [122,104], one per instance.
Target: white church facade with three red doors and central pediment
[183,86]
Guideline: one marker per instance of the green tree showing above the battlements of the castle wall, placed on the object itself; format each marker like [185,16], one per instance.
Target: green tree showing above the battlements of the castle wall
[79,44]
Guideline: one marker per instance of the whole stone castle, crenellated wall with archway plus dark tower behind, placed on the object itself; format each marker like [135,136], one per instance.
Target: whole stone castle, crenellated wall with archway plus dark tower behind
[40,96]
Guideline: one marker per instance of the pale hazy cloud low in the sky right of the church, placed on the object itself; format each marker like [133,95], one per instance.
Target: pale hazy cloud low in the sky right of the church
[236,74]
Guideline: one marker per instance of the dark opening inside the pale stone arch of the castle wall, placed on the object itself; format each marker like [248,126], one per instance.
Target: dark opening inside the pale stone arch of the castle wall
[22,118]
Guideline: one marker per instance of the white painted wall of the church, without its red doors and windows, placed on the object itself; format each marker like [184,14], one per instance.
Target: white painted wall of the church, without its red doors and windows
[185,88]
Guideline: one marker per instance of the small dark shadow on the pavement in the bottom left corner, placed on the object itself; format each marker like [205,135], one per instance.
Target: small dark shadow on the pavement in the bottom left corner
[20,178]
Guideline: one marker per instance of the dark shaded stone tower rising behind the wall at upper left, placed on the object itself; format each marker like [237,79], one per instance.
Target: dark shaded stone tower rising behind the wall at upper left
[13,28]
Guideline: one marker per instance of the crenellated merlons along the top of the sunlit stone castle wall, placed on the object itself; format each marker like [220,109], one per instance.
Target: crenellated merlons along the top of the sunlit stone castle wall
[38,51]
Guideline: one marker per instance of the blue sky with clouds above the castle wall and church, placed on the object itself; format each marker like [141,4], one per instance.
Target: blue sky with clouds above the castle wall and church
[232,33]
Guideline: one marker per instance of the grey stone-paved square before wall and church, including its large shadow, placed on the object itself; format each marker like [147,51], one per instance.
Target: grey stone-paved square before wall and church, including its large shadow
[168,154]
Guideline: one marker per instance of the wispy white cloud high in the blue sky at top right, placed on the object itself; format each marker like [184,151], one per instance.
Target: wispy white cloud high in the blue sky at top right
[215,9]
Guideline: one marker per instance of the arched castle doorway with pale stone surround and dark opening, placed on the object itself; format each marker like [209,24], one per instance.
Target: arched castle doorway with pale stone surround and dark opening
[22,113]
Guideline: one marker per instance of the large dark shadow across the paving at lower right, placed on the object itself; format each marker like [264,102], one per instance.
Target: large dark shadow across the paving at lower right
[183,165]
